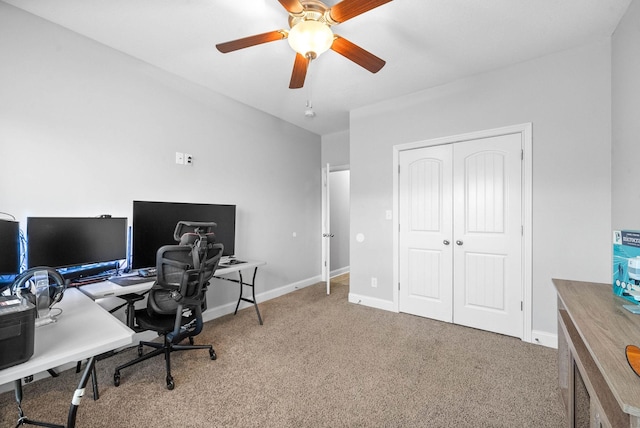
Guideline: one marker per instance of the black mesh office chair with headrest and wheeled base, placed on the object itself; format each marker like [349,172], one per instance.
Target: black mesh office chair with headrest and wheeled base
[177,299]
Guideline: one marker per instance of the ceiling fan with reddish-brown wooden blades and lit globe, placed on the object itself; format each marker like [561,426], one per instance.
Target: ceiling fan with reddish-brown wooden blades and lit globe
[310,35]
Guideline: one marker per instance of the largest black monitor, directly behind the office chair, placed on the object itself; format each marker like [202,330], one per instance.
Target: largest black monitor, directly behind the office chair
[155,222]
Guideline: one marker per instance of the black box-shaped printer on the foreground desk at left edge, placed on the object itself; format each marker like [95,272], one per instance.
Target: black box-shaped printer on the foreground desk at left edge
[17,328]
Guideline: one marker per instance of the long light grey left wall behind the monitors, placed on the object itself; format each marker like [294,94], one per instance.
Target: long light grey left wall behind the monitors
[85,130]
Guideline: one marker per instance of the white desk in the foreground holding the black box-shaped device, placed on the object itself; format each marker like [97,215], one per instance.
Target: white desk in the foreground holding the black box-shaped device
[82,331]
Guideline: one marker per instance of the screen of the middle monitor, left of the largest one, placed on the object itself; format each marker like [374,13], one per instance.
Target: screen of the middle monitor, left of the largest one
[73,241]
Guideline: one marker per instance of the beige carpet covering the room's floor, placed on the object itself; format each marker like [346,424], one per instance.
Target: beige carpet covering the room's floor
[320,361]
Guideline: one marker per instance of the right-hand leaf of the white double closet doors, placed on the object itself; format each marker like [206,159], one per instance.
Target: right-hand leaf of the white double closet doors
[487,292]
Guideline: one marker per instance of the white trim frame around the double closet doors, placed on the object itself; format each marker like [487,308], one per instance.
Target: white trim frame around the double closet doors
[525,131]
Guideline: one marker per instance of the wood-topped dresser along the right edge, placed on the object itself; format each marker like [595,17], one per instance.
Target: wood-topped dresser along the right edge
[598,387]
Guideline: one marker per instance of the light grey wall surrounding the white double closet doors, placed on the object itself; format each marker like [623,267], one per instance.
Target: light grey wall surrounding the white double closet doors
[567,97]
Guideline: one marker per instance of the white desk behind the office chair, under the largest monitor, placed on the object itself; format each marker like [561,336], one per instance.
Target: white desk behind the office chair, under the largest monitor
[100,290]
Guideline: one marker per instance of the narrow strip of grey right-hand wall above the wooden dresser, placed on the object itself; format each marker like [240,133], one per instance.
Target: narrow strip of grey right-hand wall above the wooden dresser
[626,123]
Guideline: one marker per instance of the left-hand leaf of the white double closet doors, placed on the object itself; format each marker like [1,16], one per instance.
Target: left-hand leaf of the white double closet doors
[426,228]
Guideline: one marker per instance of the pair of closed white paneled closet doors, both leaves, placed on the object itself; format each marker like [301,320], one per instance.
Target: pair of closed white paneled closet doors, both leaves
[460,240]
